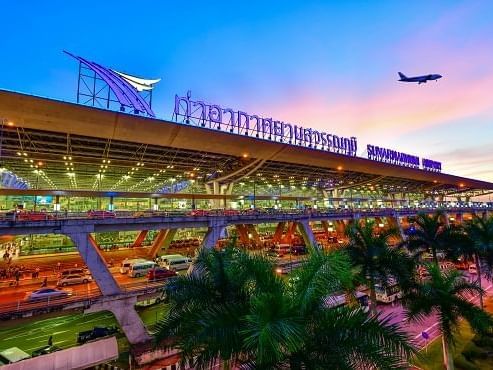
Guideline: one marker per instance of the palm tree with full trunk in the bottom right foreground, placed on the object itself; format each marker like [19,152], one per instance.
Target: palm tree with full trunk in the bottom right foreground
[445,295]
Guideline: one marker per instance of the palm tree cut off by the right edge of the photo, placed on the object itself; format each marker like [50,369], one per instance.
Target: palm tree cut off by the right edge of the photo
[480,245]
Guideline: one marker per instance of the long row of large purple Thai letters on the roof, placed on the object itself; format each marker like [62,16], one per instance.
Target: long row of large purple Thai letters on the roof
[238,122]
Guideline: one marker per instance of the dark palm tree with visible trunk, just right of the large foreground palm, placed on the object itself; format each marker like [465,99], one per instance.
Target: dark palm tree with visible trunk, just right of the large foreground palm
[376,260]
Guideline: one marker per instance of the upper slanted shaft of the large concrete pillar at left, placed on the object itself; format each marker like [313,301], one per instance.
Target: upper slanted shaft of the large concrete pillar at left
[95,262]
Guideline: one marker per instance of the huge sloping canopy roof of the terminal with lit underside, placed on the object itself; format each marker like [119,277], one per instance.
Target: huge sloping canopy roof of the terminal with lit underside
[84,148]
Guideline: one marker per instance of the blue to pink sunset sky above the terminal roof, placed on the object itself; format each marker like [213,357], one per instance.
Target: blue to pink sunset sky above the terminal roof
[329,65]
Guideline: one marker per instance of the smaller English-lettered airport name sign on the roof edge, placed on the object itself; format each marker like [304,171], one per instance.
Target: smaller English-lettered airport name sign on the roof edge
[402,159]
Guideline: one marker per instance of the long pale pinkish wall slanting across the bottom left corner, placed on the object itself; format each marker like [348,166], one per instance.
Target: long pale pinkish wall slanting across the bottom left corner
[79,357]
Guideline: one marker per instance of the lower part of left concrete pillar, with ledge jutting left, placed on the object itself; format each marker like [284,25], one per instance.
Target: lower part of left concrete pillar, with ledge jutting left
[127,317]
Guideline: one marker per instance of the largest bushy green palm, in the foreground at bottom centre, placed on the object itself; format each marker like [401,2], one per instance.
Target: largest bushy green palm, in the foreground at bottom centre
[234,309]
